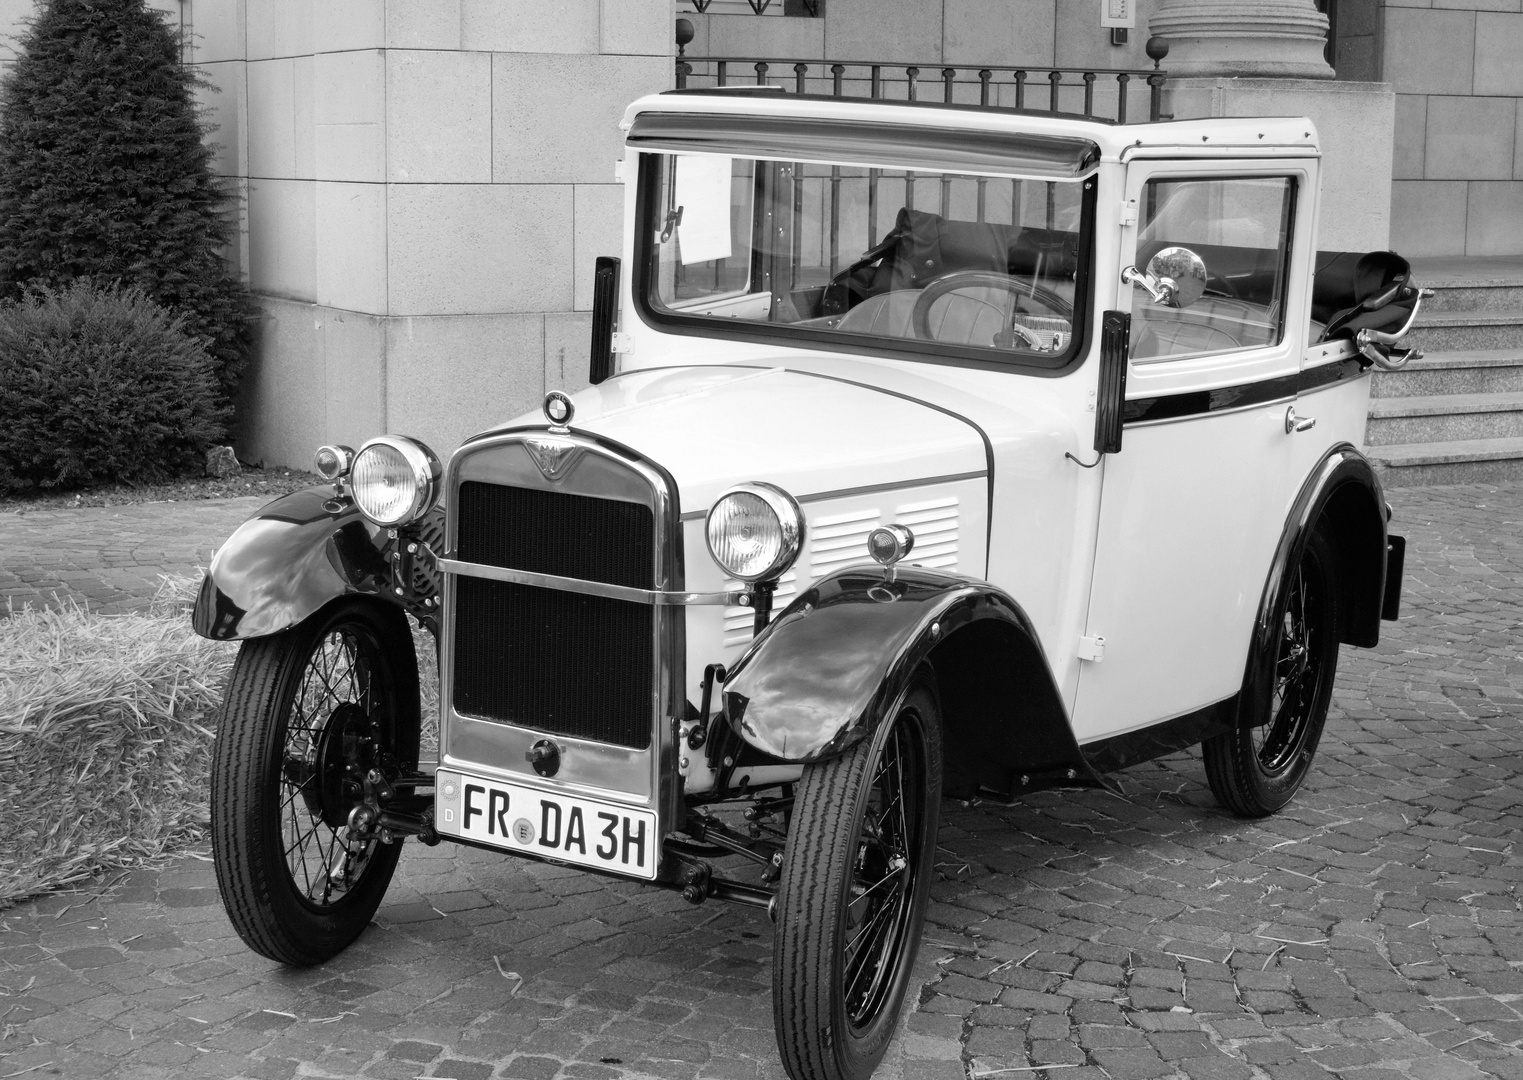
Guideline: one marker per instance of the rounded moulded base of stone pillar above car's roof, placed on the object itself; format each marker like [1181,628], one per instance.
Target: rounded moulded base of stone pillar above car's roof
[1244,39]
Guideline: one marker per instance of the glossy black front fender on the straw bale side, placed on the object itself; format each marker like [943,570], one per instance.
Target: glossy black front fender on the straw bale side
[290,560]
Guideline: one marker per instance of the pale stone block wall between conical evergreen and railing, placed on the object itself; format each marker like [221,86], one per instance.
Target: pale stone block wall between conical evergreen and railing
[426,188]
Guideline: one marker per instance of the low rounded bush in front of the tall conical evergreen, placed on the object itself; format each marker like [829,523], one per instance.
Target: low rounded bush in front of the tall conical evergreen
[100,386]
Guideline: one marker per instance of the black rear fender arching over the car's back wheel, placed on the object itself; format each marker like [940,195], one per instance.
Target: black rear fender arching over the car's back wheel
[1344,493]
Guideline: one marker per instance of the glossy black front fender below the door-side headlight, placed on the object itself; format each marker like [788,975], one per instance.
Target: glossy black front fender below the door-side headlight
[832,666]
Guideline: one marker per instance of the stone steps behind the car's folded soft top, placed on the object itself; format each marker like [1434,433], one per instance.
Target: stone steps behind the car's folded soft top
[1457,415]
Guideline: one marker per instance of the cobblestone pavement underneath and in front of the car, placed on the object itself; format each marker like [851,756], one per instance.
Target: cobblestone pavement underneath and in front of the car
[1371,931]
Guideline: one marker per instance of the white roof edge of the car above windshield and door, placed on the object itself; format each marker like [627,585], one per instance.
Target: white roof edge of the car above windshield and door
[1205,138]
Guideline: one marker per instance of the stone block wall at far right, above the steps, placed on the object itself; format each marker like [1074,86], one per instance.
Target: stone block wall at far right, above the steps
[1458,168]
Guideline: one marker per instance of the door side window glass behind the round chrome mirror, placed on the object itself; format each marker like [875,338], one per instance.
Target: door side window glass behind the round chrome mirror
[1240,228]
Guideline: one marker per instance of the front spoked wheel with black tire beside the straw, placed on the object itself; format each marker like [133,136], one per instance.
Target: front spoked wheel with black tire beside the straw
[305,715]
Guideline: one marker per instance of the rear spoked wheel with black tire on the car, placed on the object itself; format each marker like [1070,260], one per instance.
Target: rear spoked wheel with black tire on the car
[1259,768]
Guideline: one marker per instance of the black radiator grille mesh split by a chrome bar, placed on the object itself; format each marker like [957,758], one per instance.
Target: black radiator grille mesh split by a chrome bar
[546,659]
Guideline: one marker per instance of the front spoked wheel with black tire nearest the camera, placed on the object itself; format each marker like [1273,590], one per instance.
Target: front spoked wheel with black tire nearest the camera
[834,1006]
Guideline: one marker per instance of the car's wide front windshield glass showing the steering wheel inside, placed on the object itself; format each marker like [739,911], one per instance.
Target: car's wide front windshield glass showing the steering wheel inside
[942,264]
